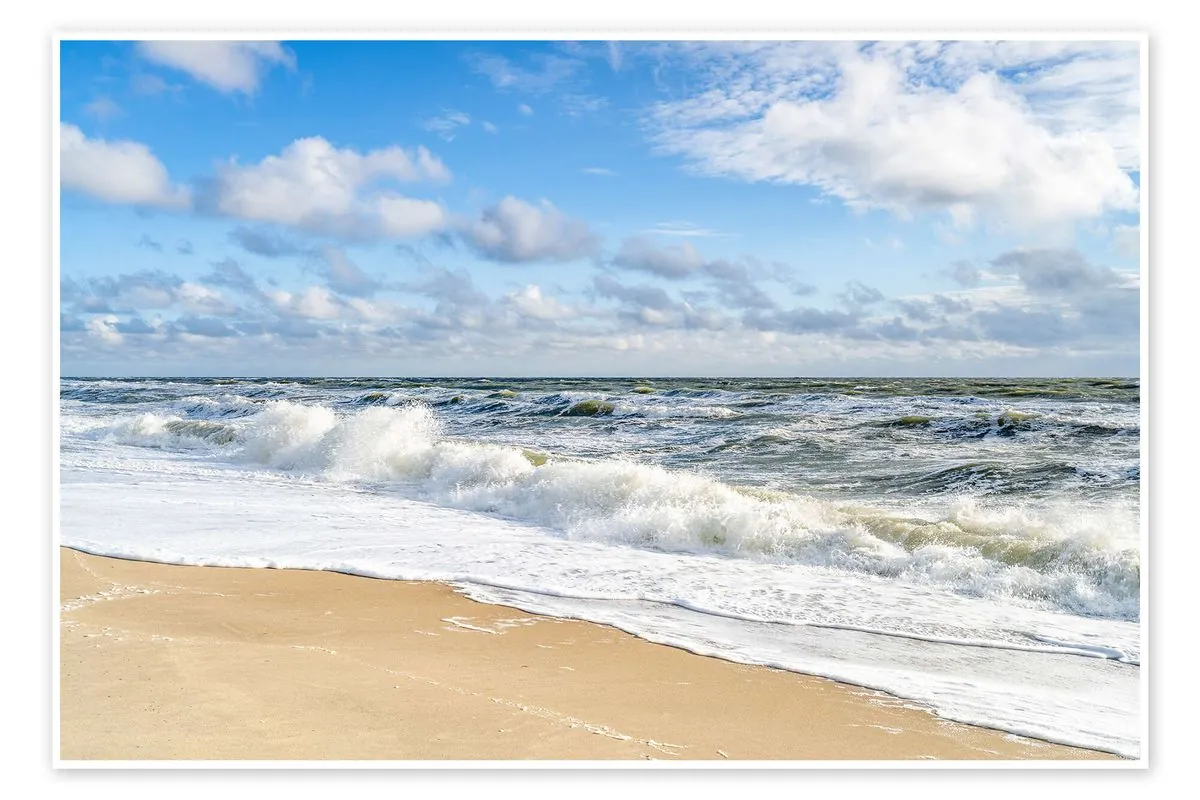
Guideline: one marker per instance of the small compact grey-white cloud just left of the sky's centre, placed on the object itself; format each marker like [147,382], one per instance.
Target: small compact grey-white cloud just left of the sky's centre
[515,231]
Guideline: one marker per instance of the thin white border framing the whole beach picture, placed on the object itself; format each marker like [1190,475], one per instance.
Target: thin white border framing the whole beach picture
[623,34]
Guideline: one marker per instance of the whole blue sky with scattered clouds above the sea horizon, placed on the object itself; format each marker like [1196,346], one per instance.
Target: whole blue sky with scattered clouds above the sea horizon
[439,208]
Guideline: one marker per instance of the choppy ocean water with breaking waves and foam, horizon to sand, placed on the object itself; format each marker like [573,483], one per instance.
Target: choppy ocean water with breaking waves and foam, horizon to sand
[973,546]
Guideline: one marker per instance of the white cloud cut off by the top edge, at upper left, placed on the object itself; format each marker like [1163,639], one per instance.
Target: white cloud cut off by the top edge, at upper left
[226,67]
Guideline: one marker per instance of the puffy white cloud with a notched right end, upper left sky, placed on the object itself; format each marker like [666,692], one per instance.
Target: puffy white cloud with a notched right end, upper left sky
[320,189]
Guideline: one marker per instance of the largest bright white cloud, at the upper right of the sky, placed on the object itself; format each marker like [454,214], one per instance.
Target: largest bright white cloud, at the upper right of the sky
[881,133]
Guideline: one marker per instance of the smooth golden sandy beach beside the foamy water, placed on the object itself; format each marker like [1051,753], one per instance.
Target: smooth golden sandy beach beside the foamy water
[184,663]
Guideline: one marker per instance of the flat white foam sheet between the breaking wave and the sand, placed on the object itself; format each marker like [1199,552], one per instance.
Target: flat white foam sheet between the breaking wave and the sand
[1028,678]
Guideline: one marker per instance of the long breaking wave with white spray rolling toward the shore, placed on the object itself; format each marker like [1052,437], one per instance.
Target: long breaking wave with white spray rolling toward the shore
[1075,563]
